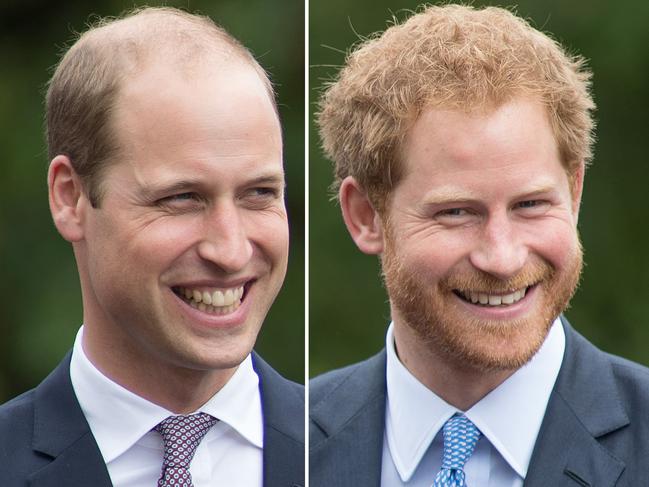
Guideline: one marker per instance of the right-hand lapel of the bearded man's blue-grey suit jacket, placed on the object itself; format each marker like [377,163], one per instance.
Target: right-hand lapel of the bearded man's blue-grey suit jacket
[584,406]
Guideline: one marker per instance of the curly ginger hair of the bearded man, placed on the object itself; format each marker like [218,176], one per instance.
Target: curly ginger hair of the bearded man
[451,57]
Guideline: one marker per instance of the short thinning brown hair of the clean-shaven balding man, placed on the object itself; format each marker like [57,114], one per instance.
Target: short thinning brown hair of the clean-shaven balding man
[83,92]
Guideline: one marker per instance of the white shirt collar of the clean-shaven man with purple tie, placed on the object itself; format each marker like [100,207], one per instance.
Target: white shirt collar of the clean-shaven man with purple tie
[118,418]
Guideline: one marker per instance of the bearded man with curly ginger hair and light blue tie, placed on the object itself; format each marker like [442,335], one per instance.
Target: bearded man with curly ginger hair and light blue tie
[460,140]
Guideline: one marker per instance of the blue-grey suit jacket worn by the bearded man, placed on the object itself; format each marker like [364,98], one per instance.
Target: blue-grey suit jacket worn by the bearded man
[595,431]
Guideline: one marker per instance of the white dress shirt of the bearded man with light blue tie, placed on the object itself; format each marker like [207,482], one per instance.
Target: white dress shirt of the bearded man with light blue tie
[509,418]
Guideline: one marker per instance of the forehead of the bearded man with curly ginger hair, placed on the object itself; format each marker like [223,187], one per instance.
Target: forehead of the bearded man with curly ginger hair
[513,142]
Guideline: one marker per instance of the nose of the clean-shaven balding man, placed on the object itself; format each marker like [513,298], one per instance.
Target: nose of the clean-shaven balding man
[225,242]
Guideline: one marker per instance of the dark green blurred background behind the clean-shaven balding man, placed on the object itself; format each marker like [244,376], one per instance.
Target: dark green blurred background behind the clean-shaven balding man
[40,309]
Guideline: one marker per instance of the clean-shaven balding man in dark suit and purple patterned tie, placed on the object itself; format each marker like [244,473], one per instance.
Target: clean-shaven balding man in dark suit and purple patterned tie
[166,176]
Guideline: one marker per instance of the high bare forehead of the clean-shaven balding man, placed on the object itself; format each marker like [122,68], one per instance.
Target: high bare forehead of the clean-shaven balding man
[214,114]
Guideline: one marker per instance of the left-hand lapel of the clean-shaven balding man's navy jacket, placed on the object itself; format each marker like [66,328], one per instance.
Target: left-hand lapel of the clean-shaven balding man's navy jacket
[62,433]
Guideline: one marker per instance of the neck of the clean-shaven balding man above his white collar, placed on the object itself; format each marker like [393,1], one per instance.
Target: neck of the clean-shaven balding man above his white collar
[179,389]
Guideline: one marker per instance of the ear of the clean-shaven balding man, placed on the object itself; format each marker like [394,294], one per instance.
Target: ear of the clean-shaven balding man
[67,199]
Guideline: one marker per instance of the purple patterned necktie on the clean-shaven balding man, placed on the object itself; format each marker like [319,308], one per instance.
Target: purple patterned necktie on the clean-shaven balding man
[181,436]
